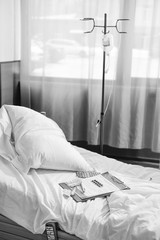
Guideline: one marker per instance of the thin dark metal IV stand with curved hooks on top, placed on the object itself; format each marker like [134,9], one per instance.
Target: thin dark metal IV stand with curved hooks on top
[105,26]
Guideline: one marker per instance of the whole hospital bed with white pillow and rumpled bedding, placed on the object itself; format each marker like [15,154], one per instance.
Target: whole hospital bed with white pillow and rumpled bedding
[35,157]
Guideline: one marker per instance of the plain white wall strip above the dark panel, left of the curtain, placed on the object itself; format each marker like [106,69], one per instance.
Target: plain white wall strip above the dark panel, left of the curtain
[10,30]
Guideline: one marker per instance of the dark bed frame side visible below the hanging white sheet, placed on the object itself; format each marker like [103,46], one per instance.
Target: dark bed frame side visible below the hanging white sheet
[9,230]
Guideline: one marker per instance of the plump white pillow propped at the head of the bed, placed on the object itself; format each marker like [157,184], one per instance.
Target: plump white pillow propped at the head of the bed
[40,143]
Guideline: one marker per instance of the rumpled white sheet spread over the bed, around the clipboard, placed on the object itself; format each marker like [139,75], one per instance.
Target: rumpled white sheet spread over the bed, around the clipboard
[34,199]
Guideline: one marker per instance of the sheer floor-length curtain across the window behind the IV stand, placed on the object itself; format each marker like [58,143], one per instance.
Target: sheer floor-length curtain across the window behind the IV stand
[61,69]
